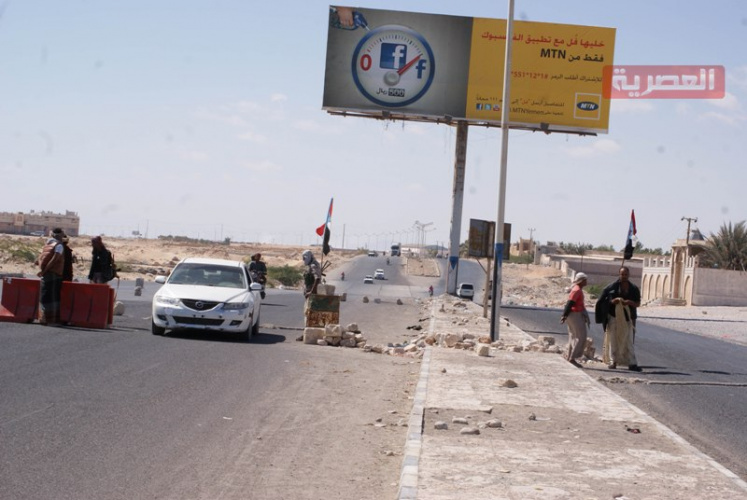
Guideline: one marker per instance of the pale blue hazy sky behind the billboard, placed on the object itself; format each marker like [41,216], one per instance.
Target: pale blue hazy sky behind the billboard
[203,118]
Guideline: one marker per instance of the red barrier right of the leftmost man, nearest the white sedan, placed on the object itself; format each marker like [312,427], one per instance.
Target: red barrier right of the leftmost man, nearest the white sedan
[89,305]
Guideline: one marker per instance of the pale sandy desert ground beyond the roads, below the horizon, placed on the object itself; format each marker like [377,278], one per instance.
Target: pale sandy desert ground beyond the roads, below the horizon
[523,285]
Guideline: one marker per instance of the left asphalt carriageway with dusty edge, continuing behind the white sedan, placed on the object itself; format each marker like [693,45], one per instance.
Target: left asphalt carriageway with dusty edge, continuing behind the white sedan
[123,414]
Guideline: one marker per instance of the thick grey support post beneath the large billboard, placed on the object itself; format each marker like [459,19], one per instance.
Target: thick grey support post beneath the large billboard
[457,200]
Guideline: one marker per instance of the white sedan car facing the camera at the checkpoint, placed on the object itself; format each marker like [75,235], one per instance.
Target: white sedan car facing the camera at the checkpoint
[207,294]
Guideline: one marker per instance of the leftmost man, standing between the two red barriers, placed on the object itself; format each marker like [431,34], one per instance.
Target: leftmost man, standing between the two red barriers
[51,263]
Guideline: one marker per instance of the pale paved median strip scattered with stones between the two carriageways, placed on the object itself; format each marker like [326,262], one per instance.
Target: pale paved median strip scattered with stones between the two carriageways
[562,435]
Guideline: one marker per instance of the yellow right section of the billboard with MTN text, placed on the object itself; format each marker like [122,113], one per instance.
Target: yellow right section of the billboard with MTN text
[556,74]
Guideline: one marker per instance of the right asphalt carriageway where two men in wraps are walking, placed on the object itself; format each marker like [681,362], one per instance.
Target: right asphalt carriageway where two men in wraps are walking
[697,385]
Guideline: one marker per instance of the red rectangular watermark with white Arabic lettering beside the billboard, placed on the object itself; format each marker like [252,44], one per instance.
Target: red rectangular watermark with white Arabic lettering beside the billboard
[663,82]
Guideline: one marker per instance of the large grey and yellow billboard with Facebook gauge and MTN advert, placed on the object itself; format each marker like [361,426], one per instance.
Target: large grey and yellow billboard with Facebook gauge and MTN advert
[396,64]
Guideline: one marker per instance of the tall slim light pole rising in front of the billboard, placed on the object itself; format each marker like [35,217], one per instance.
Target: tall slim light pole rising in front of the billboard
[498,254]
